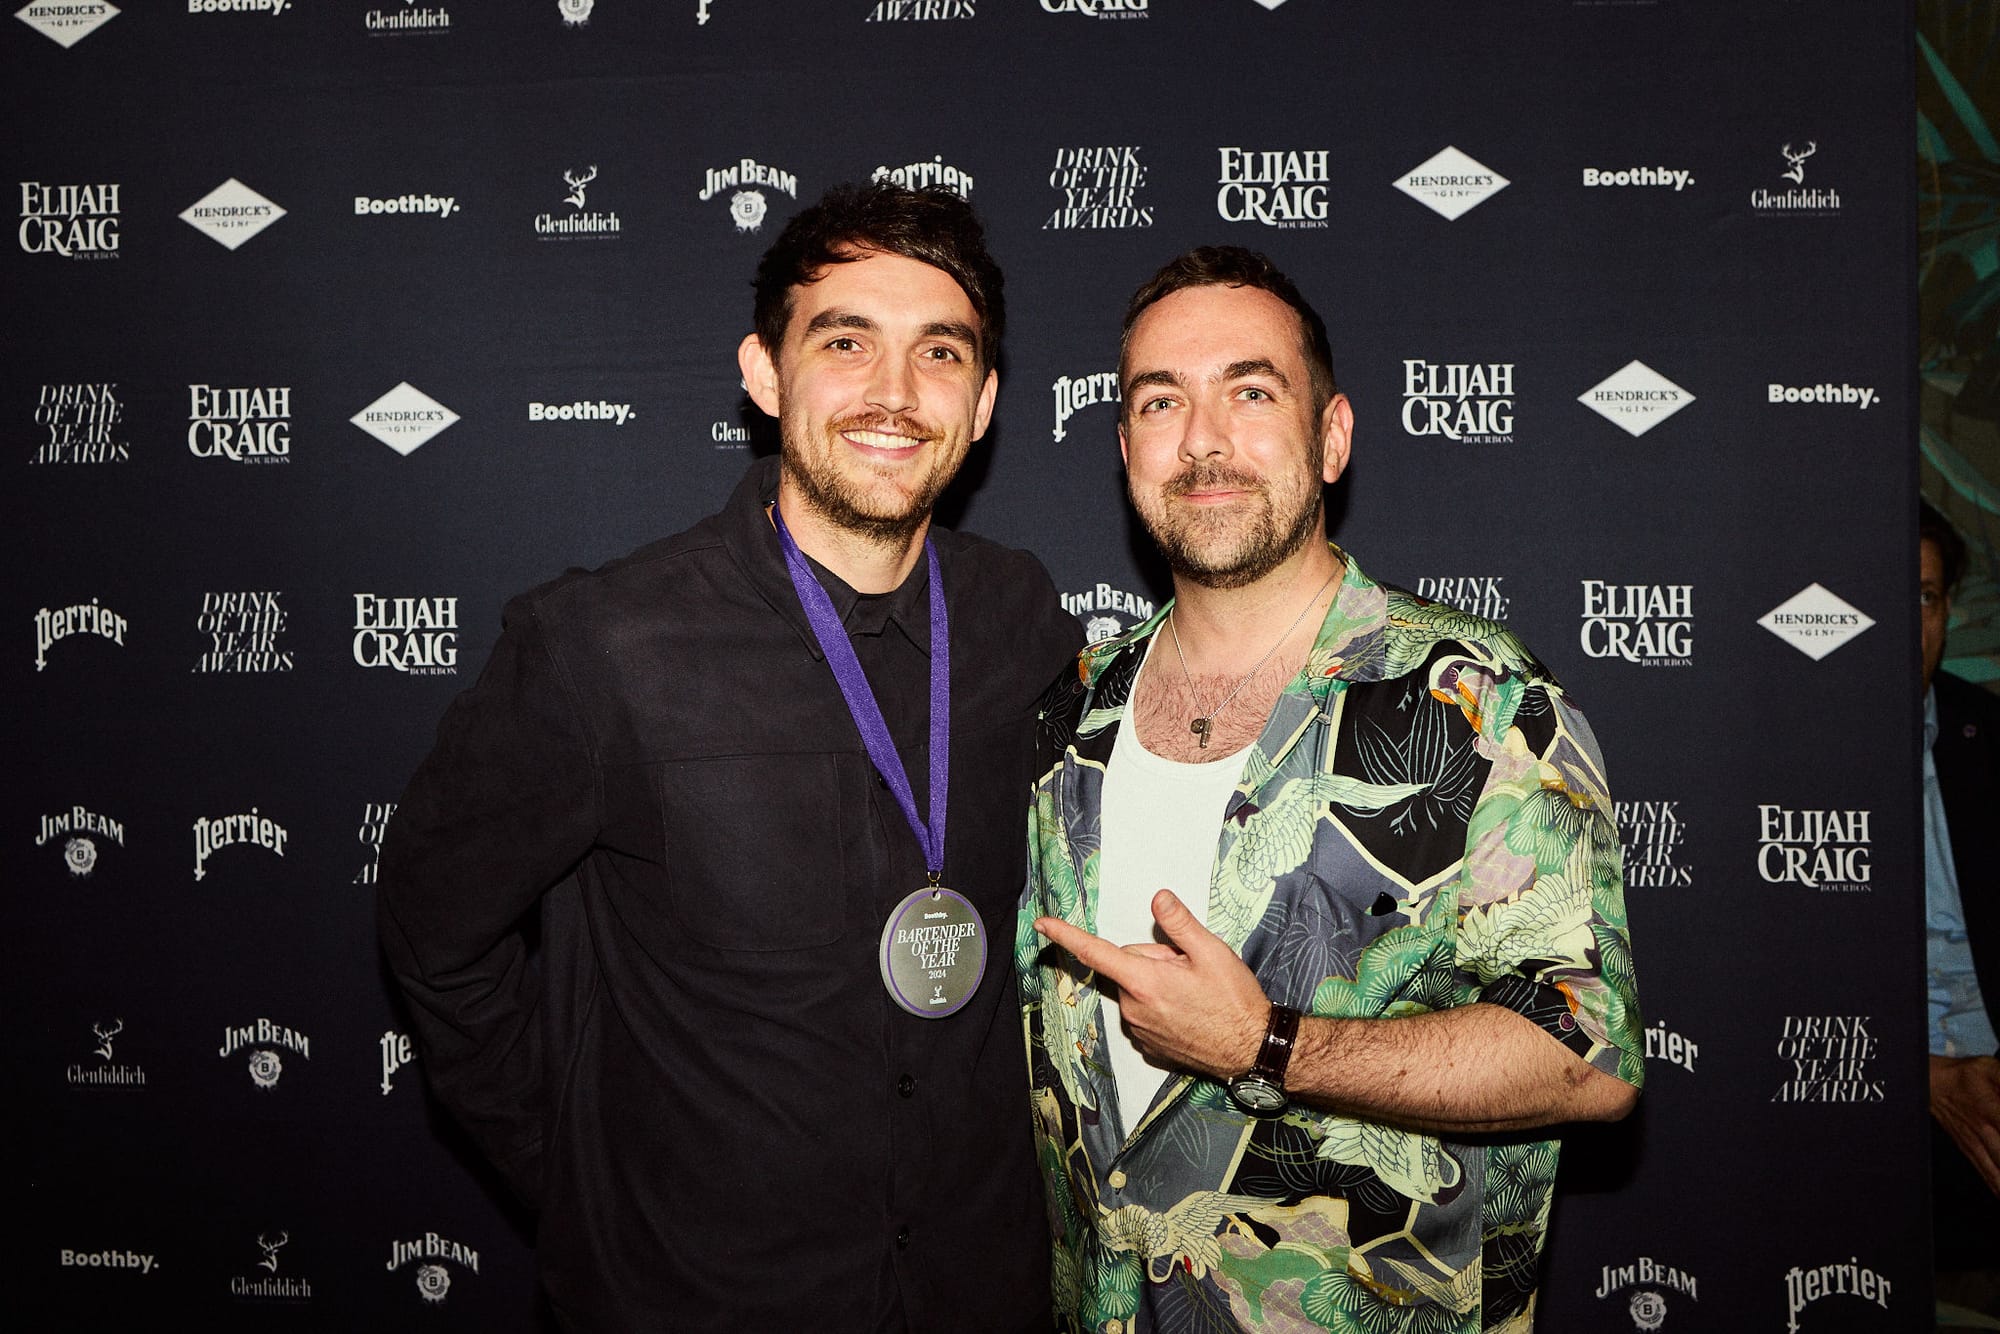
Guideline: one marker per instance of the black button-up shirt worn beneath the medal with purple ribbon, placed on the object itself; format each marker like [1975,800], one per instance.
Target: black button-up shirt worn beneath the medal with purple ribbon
[699,1075]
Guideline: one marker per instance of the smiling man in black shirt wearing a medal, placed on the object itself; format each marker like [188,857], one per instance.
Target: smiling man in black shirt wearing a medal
[737,1095]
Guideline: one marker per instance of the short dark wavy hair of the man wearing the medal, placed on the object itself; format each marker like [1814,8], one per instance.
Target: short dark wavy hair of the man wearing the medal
[931,227]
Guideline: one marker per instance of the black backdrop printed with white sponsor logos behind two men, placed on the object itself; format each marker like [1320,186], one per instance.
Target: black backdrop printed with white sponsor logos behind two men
[329,325]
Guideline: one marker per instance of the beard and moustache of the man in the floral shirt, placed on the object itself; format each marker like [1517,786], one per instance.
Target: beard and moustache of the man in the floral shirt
[1241,545]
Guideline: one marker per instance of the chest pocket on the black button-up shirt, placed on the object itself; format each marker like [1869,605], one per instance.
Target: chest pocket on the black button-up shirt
[755,849]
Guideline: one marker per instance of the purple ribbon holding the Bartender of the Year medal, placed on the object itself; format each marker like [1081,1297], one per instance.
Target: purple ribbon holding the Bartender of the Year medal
[833,639]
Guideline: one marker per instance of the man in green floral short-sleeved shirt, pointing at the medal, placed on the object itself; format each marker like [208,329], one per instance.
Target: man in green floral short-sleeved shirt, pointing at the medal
[1325,913]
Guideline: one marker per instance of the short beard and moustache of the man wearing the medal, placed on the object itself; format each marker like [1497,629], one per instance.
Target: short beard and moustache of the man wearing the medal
[857,499]
